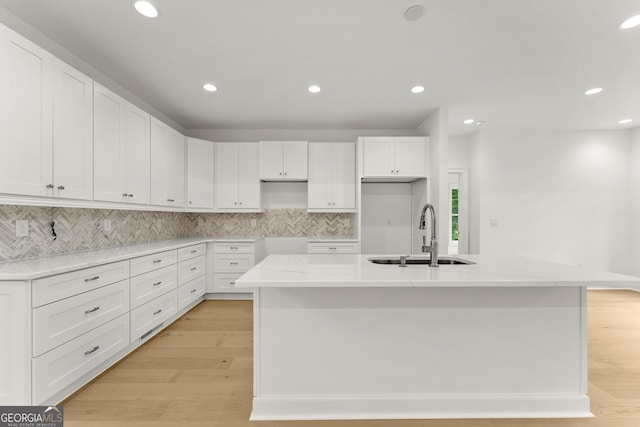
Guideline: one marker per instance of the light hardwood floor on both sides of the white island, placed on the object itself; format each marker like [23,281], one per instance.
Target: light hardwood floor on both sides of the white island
[198,373]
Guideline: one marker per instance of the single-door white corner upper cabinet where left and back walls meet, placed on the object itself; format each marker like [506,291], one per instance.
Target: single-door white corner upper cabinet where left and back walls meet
[200,167]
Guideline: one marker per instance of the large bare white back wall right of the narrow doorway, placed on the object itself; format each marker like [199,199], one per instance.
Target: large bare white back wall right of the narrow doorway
[557,196]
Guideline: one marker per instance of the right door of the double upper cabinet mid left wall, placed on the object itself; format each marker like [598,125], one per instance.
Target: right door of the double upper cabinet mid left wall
[137,154]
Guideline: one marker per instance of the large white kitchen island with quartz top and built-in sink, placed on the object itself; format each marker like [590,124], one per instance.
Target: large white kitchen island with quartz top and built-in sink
[338,337]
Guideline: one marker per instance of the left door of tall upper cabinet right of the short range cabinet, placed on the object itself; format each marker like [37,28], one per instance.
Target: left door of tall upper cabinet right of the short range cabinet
[319,187]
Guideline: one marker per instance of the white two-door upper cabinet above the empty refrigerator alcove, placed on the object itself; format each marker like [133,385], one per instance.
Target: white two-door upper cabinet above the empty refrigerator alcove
[396,158]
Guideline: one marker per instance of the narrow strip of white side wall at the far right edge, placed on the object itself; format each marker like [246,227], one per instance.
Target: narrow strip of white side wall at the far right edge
[634,237]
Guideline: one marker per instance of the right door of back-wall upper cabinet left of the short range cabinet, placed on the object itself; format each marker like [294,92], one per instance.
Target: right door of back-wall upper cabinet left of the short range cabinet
[248,178]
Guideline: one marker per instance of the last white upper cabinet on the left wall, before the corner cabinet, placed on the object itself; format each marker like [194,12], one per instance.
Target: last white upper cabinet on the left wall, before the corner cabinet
[167,165]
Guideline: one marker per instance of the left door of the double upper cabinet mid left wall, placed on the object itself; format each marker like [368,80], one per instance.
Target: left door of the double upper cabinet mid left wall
[108,146]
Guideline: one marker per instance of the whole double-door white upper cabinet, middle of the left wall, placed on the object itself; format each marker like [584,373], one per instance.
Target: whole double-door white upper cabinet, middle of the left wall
[121,149]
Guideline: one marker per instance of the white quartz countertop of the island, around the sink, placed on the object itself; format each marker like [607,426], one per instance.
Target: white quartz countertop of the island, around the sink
[343,270]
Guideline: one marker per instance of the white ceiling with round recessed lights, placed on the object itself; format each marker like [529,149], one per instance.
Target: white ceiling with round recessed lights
[516,64]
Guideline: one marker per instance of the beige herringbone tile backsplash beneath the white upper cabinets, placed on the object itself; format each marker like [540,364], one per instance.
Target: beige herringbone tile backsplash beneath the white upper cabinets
[82,229]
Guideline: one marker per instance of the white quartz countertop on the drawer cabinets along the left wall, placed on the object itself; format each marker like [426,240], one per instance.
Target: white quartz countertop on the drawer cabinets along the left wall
[48,266]
